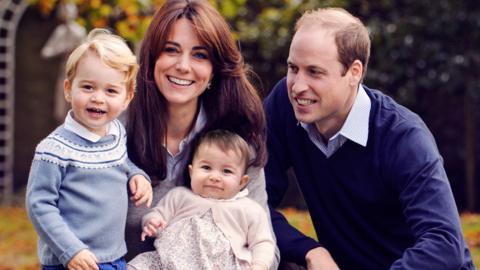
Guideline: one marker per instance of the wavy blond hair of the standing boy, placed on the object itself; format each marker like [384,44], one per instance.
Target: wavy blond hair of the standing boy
[112,51]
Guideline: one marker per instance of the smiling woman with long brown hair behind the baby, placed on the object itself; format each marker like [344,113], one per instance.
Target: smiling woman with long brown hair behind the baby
[192,79]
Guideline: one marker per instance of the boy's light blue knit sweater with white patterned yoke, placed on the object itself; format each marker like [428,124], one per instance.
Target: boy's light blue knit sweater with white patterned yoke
[77,195]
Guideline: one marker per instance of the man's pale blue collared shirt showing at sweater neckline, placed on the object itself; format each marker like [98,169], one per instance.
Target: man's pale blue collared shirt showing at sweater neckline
[355,127]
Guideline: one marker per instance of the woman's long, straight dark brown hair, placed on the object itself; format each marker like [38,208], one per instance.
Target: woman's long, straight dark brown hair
[231,103]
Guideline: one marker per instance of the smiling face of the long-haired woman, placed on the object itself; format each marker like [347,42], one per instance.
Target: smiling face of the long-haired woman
[183,69]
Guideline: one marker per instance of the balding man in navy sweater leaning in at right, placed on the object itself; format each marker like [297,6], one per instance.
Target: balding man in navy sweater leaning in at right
[368,168]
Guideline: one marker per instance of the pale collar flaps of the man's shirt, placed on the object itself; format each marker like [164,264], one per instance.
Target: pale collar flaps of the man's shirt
[355,127]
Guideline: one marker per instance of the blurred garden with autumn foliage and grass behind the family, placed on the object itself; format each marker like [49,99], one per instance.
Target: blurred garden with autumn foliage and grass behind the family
[424,54]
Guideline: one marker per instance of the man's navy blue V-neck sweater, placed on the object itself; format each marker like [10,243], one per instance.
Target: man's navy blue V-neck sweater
[388,205]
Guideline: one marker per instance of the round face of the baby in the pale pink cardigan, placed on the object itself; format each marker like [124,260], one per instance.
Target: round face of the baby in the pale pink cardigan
[217,174]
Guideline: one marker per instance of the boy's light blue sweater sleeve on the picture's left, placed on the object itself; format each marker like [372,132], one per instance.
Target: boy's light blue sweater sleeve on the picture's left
[42,196]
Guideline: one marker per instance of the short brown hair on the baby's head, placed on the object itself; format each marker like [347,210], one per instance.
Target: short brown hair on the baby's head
[226,141]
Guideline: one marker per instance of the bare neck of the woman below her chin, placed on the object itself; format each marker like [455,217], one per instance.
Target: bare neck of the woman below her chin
[179,123]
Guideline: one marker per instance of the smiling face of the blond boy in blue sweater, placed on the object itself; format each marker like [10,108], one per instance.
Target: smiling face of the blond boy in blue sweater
[98,93]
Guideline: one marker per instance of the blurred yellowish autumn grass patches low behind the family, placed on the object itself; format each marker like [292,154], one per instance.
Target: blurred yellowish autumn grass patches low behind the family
[18,239]
